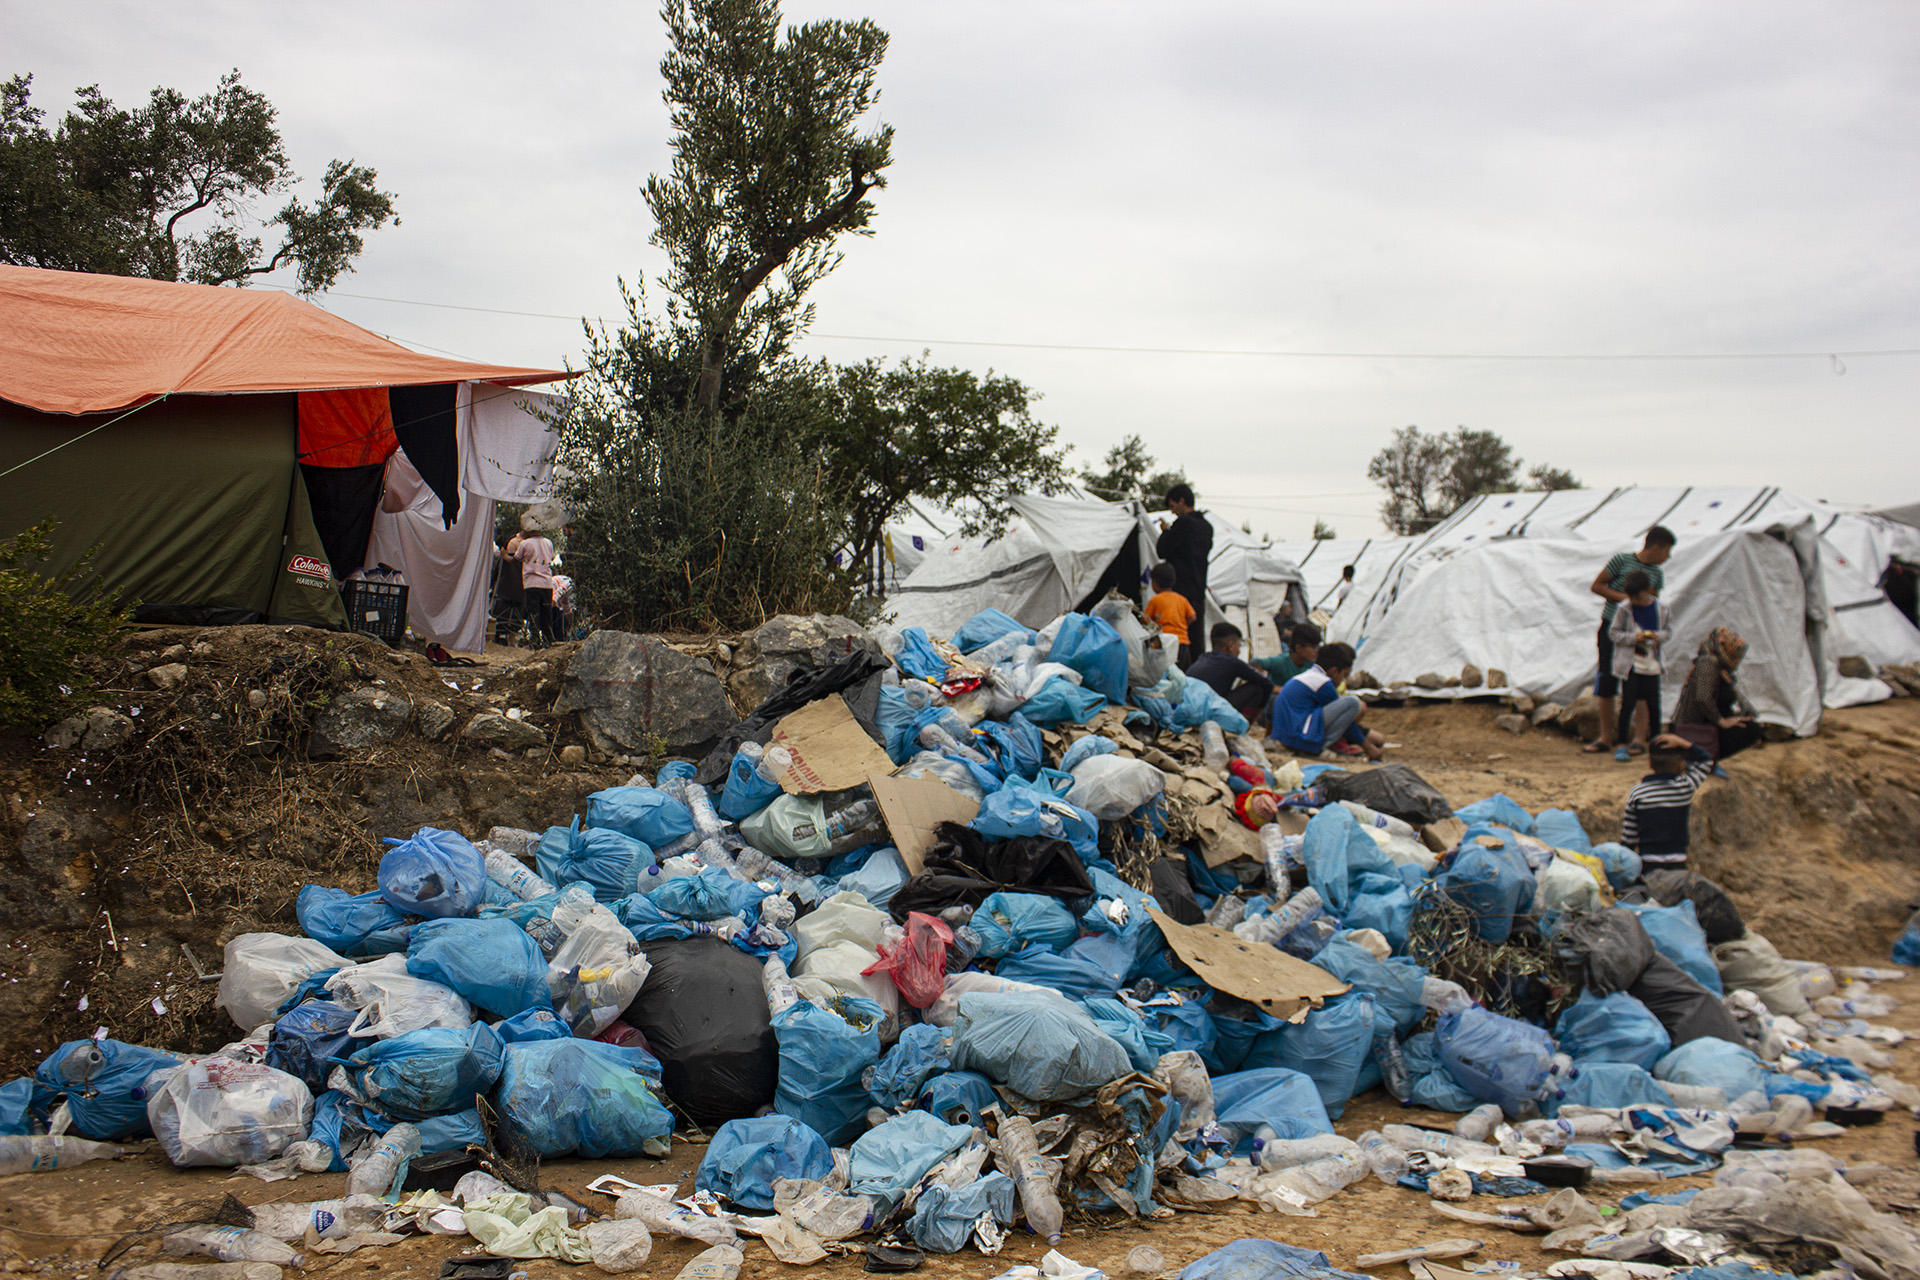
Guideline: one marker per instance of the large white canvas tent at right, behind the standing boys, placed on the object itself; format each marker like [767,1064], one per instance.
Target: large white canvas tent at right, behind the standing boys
[1504,584]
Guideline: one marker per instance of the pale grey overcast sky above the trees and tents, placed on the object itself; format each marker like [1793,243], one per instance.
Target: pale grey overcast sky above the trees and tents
[1395,178]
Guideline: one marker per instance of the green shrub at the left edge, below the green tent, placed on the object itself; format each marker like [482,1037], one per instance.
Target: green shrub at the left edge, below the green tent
[45,636]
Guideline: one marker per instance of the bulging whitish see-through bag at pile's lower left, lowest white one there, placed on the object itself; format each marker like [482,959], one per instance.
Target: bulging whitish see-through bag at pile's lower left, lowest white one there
[224,1112]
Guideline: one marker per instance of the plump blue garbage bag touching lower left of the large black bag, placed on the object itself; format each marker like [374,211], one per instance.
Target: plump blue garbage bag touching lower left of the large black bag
[581,1099]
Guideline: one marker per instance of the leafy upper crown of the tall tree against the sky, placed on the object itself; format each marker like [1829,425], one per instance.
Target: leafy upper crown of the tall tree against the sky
[769,172]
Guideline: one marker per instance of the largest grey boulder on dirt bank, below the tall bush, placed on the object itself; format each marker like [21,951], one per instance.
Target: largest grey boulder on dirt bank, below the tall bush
[644,698]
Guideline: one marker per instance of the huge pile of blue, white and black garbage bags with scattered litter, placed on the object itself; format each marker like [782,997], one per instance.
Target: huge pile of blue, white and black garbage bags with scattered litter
[1003,930]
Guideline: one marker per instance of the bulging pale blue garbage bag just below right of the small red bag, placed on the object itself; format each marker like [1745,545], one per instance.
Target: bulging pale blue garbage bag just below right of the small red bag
[1040,1047]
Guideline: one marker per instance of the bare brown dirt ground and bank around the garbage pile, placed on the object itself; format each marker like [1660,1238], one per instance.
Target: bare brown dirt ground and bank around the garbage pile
[1819,843]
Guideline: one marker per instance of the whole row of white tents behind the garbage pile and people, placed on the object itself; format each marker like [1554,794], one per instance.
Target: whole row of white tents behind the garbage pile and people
[1502,584]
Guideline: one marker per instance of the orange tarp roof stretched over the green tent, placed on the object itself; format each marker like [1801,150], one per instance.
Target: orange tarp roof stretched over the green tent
[76,343]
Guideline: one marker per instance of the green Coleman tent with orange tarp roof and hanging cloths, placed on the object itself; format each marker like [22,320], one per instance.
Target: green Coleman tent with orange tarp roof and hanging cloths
[226,452]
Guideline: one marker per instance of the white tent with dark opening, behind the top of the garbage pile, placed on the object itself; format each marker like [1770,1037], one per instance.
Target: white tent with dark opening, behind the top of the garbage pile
[1055,554]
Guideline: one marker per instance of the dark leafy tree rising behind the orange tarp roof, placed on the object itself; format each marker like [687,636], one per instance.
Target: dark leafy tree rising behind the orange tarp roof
[122,193]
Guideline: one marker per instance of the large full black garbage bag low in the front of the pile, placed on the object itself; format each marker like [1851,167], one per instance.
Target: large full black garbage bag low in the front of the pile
[706,1018]
